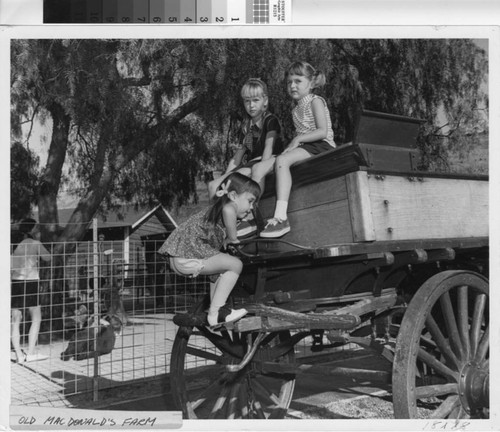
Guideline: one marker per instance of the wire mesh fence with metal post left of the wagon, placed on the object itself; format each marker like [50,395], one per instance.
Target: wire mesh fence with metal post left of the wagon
[107,309]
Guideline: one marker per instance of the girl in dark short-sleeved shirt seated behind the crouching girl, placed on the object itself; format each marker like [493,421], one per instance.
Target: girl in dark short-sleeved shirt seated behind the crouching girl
[260,142]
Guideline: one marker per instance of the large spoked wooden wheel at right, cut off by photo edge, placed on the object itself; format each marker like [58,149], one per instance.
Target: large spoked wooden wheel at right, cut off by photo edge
[441,364]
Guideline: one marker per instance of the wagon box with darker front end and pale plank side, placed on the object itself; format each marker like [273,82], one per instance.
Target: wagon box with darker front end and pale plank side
[350,203]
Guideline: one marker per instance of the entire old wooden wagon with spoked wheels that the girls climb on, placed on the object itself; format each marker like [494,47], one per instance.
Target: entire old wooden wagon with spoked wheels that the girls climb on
[380,256]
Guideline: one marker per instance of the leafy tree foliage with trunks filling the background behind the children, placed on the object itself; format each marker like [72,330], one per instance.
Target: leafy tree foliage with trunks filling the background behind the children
[137,120]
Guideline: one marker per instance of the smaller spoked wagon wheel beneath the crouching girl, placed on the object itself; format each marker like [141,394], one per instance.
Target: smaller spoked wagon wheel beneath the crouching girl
[203,388]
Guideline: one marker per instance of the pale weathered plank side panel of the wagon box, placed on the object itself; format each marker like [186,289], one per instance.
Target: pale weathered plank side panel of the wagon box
[405,207]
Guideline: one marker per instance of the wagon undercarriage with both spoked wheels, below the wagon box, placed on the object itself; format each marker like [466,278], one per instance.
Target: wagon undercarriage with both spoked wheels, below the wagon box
[436,335]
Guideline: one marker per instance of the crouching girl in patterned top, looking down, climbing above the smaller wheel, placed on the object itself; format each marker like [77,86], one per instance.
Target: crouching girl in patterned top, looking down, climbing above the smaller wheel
[194,247]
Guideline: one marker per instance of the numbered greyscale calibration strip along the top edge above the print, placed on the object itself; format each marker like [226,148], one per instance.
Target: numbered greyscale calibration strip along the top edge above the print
[222,12]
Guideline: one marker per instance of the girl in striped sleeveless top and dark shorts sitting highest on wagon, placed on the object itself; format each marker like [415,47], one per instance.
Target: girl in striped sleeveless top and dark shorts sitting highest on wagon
[314,135]
